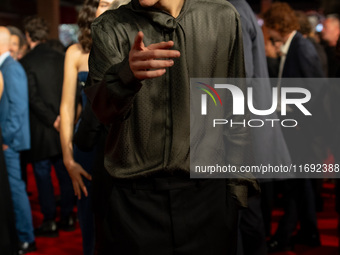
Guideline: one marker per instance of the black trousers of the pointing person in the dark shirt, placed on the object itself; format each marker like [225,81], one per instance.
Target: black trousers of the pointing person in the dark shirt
[168,215]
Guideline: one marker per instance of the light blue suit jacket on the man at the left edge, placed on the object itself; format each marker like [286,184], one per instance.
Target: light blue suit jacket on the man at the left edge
[14,111]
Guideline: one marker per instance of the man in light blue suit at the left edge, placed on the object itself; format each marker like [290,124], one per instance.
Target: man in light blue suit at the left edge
[14,122]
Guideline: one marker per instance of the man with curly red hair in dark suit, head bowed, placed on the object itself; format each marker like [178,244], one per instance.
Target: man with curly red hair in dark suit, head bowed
[299,59]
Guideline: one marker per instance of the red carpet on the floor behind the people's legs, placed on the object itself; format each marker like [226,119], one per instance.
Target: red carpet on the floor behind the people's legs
[70,243]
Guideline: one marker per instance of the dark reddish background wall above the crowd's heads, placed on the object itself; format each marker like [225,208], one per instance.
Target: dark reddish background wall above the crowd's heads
[12,12]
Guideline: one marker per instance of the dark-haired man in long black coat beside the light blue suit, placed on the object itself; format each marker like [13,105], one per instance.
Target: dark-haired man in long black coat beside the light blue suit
[44,68]
